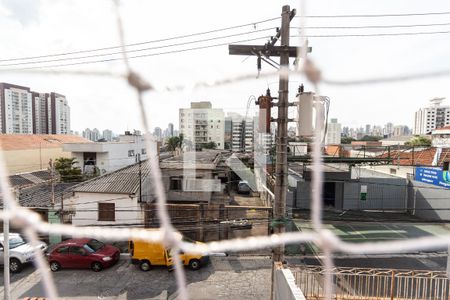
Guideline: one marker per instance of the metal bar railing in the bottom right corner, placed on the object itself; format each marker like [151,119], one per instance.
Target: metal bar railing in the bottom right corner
[361,283]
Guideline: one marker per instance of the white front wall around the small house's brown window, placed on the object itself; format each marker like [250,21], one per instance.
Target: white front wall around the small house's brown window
[85,206]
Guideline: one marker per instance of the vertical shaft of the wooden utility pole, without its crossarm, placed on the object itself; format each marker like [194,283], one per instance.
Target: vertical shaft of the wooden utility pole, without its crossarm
[281,145]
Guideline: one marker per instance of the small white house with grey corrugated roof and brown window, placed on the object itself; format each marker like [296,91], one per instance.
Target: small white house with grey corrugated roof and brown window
[116,198]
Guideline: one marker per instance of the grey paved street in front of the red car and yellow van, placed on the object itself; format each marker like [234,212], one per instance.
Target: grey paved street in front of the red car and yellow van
[222,278]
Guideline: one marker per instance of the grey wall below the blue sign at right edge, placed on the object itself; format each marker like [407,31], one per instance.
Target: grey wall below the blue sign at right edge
[428,201]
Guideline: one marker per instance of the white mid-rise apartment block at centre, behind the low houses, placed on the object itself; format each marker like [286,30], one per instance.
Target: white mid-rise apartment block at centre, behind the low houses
[201,124]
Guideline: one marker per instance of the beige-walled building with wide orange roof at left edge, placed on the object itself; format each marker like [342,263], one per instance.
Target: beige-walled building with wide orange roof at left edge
[31,152]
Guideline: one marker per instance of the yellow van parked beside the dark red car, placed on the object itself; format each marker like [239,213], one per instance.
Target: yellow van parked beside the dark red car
[147,254]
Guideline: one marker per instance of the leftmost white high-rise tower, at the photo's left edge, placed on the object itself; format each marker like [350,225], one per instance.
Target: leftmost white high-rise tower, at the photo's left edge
[15,109]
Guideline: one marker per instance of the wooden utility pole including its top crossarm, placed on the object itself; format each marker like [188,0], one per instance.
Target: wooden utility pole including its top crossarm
[284,51]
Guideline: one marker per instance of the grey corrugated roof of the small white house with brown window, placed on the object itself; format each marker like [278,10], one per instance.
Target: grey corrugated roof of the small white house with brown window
[122,181]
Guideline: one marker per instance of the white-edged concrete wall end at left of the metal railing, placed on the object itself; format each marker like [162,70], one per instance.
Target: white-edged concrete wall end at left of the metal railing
[284,286]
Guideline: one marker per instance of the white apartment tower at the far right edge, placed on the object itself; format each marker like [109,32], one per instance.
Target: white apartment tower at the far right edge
[432,117]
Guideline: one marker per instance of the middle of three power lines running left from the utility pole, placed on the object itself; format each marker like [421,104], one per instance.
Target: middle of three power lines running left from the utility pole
[137,50]
